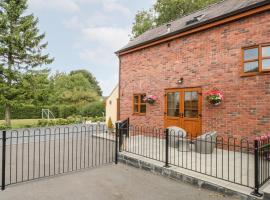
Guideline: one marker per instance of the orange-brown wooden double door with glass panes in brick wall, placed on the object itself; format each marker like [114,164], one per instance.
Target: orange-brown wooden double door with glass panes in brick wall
[183,108]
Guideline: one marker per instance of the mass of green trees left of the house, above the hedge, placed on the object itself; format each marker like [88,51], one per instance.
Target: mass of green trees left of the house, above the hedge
[24,83]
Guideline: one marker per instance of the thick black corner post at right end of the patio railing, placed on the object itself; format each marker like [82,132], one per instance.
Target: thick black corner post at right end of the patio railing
[256,170]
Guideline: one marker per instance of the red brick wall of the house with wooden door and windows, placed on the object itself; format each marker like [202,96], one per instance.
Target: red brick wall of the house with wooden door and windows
[208,59]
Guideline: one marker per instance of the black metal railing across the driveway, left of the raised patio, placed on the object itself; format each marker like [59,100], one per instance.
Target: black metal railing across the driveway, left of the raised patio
[29,154]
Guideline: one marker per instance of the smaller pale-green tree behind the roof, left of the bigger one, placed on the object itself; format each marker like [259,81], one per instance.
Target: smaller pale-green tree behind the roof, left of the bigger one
[144,21]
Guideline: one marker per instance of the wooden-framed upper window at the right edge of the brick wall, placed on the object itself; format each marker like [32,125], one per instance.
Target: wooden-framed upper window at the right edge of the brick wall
[256,59]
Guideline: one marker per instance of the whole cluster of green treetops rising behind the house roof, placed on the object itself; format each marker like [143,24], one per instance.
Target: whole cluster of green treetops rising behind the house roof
[165,11]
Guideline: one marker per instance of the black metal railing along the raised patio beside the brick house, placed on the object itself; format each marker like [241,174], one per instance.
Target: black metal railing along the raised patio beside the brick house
[230,159]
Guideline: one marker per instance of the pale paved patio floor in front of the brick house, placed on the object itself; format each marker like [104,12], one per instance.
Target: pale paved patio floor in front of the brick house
[228,165]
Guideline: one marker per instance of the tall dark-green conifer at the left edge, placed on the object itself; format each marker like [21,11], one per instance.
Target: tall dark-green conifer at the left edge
[21,48]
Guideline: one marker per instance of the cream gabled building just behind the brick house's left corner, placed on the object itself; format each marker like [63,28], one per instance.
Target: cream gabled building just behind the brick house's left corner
[112,105]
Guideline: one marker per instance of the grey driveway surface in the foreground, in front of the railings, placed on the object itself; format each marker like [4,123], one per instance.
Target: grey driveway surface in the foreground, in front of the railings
[110,182]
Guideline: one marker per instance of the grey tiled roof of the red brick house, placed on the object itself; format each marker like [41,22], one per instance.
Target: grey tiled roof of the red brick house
[213,12]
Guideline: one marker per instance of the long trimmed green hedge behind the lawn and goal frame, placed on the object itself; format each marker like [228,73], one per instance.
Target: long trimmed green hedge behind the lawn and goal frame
[94,109]
